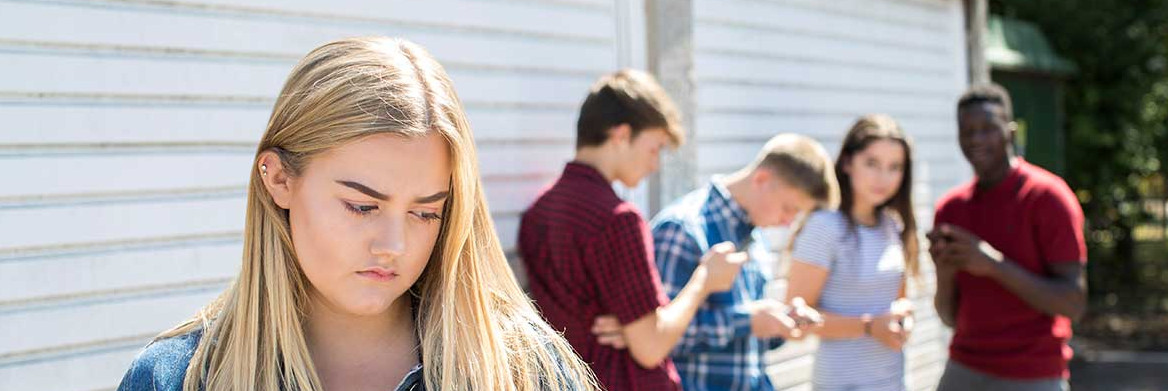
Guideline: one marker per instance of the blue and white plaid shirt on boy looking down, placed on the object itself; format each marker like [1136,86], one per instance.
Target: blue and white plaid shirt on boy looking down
[718,352]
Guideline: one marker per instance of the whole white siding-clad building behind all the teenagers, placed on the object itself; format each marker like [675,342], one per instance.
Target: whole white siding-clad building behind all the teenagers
[129,128]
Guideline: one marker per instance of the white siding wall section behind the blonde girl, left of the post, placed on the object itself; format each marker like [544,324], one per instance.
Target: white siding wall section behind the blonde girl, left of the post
[129,129]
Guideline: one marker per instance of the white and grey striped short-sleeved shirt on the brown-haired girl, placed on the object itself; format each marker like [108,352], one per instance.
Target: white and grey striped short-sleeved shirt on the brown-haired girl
[866,269]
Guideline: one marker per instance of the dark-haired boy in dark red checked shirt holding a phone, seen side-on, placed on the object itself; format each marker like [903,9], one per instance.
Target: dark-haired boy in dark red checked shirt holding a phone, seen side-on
[590,254]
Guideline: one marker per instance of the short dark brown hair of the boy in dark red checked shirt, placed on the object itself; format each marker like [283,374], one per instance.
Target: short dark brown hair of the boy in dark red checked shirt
[627,97]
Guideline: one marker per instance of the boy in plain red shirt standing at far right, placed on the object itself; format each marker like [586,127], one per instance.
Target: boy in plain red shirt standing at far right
[1011,257]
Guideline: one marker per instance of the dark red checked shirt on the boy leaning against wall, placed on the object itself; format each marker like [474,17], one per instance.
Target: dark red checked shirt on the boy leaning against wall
[589,254]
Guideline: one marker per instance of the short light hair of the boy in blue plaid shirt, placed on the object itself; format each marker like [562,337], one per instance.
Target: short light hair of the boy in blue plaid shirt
[804,164]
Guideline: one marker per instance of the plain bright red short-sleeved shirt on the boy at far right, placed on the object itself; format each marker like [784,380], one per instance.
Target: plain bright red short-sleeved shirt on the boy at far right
[1034,219]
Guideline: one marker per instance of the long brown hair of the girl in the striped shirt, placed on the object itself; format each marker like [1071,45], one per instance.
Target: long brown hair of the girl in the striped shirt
[864,132]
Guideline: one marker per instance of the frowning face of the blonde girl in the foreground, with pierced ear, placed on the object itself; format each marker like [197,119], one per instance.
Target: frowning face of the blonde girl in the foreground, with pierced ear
[365,218]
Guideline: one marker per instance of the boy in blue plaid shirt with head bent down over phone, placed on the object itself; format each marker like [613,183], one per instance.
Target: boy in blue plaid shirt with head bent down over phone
[724,346]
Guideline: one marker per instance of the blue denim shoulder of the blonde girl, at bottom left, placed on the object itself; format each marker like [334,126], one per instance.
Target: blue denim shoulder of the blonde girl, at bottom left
[163,365]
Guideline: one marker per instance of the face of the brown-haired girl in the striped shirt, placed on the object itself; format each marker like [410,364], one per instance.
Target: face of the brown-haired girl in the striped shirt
[877,172]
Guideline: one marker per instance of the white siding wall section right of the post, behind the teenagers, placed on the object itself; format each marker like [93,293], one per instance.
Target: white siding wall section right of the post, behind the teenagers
[766,67]
